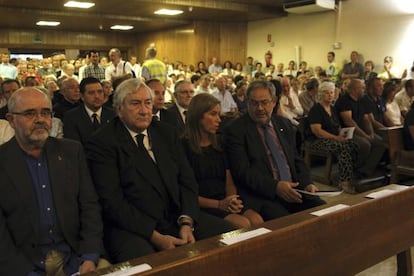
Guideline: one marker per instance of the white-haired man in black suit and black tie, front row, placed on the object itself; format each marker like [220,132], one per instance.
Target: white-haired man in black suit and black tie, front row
[146,186]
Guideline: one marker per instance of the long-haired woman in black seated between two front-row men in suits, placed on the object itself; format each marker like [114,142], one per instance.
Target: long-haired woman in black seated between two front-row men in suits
[217,192]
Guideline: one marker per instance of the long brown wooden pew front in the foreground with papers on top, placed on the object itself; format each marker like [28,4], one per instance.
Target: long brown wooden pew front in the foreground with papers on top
[341,243]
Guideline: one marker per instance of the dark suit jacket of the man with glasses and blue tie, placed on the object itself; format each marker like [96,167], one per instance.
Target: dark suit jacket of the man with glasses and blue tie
[249,163]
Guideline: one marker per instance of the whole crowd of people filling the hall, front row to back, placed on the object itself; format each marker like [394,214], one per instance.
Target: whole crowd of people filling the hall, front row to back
[156,156]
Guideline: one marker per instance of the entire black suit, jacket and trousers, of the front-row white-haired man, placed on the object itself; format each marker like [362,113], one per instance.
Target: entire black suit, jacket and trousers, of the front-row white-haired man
[139,196]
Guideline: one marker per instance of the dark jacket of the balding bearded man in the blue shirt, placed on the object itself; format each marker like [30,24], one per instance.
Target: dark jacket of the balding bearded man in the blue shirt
[75,199]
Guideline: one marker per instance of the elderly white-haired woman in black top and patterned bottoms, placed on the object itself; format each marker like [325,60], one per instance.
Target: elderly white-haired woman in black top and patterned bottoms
[324,134]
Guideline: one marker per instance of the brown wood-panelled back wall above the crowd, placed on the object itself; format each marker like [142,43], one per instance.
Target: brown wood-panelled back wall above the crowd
[189,44]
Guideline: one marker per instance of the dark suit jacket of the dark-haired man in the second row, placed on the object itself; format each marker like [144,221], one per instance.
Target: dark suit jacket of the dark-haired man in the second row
[77,124]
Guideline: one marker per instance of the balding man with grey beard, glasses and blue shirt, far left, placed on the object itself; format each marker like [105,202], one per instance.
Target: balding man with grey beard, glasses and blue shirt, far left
[50,219]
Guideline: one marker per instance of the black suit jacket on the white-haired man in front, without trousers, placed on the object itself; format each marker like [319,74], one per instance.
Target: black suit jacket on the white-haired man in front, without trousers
[130,197]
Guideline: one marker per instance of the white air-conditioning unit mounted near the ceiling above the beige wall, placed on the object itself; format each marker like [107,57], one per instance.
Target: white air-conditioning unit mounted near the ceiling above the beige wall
[309,6]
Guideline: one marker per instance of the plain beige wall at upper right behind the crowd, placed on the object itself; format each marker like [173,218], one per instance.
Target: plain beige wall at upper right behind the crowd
[375,28]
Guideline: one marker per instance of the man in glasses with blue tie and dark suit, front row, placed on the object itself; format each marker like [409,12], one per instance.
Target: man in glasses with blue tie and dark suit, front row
[263,159]
